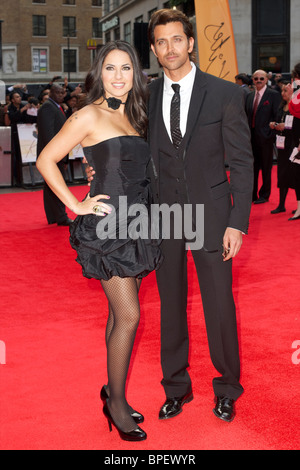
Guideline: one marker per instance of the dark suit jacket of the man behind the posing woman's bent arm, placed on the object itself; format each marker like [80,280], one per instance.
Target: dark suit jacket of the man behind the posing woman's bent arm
[49,122]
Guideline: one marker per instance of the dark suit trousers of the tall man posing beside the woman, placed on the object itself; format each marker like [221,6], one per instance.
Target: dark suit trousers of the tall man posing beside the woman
[215,280]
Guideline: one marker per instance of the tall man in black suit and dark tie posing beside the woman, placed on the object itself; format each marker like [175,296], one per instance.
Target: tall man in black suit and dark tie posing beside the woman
[213,124]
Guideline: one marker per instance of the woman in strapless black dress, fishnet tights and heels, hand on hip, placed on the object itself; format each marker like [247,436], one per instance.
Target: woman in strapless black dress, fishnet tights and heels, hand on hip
[111,128]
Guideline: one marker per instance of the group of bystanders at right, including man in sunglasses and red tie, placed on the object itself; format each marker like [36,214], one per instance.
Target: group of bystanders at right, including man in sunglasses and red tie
[275,132]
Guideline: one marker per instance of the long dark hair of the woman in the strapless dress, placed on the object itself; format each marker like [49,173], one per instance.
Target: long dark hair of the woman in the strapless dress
[135,107]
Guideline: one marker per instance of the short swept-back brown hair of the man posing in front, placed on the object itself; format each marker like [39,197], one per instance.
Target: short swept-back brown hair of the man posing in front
[165,16]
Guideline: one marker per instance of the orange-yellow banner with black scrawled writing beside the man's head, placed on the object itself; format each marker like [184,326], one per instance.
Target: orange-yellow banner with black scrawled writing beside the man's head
[216,46]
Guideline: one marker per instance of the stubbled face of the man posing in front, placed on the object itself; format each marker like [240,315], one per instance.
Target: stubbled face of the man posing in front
[172,47]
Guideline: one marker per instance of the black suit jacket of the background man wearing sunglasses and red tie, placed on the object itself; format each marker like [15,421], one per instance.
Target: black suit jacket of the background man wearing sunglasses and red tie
[266,113]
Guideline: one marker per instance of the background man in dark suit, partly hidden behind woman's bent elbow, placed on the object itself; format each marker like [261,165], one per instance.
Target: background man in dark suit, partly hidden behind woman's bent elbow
[51,118]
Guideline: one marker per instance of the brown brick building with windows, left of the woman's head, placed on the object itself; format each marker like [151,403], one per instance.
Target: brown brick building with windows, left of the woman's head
[44,38]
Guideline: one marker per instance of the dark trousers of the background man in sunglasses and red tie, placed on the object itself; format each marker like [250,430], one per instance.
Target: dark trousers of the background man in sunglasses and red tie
[263,160]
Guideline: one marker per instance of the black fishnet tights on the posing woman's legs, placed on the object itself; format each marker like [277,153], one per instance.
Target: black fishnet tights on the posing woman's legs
[122,324]
